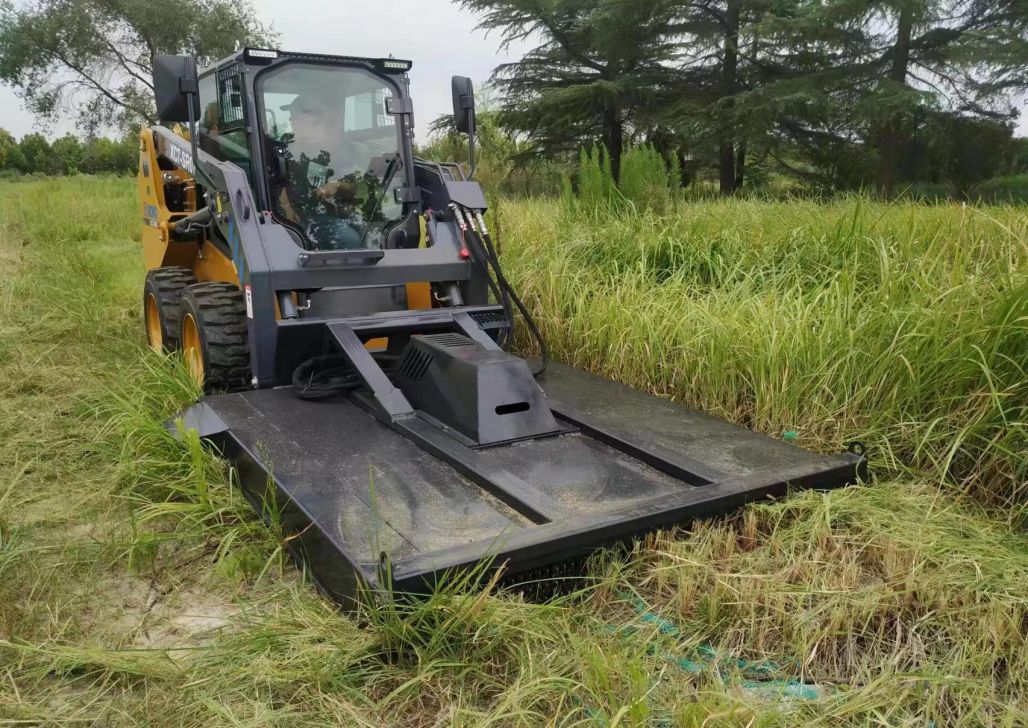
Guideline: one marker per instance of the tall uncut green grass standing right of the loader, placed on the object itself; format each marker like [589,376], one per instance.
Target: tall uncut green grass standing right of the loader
[902,326]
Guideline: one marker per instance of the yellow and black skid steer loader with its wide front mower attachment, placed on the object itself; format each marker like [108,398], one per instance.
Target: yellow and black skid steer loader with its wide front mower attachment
[343,304]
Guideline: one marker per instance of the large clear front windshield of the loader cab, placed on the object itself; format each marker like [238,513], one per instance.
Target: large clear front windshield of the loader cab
[338,151]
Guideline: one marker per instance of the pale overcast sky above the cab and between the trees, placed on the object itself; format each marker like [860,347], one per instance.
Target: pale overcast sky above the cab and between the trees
[435,34]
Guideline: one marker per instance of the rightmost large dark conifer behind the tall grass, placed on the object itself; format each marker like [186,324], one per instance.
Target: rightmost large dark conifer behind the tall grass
[877,68]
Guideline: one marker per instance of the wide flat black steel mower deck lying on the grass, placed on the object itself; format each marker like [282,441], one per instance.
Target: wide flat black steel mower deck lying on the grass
[357,495]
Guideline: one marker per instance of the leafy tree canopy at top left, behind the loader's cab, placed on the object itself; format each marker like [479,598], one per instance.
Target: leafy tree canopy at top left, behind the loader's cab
[95,58]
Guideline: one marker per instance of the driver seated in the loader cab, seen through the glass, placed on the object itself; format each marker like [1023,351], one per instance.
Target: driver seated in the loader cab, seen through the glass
[325,193]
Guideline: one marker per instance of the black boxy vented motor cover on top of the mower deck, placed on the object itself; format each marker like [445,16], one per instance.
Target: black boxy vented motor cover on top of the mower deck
[489,396]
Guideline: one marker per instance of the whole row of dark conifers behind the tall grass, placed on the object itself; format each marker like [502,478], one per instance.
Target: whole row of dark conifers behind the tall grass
[837,92]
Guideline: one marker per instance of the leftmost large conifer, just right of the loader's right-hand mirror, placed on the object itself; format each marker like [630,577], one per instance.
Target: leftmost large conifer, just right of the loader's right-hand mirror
[601,68]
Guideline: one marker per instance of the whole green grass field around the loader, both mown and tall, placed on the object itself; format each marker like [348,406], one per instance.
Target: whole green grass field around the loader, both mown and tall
[137,589]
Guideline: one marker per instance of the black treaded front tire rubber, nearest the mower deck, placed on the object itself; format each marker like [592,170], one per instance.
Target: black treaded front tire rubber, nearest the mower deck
[221,314]
